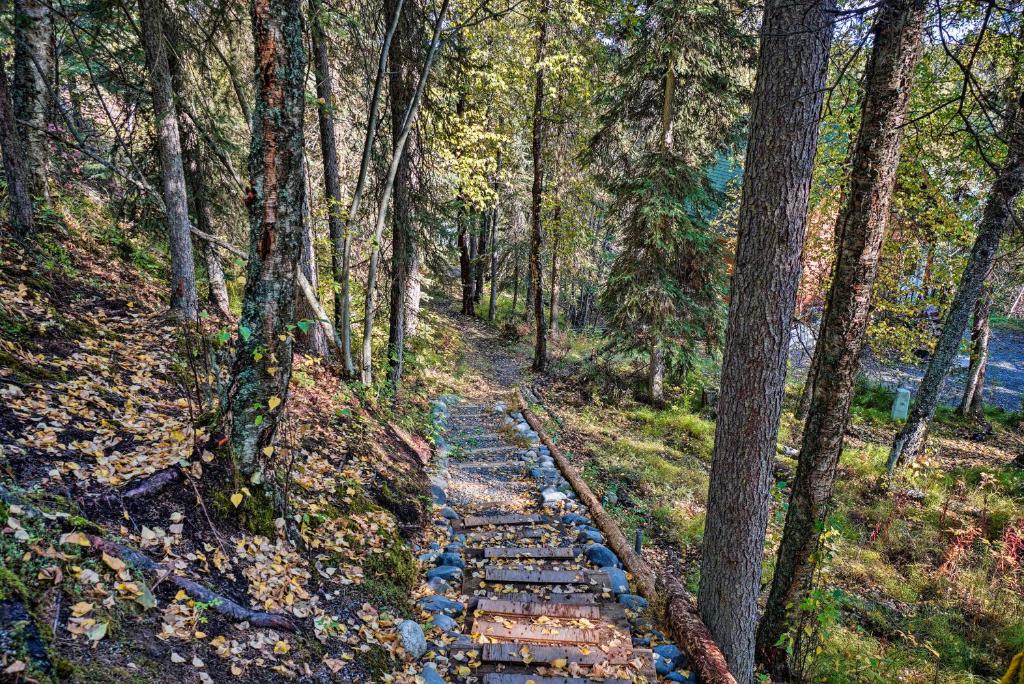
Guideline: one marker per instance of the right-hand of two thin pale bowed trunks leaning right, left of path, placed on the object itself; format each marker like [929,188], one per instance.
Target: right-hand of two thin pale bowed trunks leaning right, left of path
[397,157]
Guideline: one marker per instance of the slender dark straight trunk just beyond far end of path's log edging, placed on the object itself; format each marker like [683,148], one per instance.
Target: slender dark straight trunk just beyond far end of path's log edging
[537,196]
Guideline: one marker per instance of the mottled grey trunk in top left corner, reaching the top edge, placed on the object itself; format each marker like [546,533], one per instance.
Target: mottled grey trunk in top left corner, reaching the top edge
[35,66]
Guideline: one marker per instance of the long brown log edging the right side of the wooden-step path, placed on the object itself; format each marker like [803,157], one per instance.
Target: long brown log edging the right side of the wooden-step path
[687,627]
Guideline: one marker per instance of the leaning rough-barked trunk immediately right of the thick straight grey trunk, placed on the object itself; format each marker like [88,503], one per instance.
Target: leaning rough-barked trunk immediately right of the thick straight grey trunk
[861,228]
